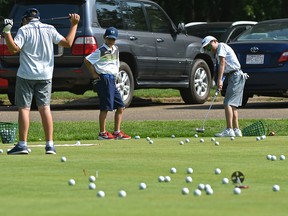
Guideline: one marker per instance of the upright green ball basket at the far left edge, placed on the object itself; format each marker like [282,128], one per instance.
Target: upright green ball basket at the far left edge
[8,132]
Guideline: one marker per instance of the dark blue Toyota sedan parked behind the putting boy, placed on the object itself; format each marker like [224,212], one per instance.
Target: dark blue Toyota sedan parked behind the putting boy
[263,54]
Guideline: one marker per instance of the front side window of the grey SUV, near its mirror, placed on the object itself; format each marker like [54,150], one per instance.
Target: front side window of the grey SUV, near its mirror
[158,21]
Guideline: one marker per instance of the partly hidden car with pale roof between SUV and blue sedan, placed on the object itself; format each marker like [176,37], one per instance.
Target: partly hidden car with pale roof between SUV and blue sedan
[223,31]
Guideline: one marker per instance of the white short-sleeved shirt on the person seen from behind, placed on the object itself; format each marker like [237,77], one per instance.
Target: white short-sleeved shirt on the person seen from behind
[37,53]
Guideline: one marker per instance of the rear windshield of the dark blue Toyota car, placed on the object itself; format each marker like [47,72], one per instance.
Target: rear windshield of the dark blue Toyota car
[266,31]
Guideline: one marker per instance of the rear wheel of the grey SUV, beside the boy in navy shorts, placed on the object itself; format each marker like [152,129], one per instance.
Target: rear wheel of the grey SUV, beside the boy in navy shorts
[125,83]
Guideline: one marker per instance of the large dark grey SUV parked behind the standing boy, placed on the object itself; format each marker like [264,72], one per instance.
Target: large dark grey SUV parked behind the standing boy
[154,53]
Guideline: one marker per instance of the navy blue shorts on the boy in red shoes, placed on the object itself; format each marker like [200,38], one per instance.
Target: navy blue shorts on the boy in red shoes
[109,96]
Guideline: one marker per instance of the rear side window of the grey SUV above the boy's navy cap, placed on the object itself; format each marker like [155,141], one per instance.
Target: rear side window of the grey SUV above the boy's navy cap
[122,15]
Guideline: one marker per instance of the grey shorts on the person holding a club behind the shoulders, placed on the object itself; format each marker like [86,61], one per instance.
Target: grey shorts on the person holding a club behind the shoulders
[26,89]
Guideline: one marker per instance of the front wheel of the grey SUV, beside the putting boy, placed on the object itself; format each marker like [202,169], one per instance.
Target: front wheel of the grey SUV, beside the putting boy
[199,84]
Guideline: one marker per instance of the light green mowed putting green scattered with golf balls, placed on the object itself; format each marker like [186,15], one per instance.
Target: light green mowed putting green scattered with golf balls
[37,184]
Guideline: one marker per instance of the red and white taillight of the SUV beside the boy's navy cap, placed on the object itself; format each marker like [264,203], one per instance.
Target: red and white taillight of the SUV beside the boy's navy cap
[84,46]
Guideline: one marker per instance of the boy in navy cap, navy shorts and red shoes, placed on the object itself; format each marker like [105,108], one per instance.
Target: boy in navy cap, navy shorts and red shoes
[104,65]
